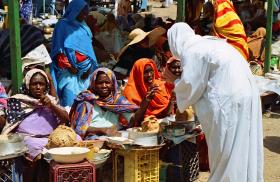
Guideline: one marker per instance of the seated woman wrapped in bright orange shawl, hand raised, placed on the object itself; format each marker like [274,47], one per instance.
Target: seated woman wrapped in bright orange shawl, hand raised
[145,87]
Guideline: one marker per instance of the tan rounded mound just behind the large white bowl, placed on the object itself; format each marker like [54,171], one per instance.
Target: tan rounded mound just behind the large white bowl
[62,136]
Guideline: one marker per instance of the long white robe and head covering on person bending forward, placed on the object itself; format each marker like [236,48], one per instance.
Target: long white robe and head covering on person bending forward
[217,81]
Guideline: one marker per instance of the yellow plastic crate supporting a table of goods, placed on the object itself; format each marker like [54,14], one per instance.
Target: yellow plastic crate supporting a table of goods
[141,165]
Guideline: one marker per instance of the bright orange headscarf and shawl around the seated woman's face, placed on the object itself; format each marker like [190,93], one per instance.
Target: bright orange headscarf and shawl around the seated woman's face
[136,89]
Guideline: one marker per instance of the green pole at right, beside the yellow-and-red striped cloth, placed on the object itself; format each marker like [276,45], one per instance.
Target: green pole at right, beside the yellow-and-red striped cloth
[268,36]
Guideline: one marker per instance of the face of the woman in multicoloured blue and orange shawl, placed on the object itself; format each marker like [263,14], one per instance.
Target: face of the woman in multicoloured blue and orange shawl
[103,85]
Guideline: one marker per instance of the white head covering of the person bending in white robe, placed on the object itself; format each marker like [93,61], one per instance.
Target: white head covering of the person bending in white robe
[180,36]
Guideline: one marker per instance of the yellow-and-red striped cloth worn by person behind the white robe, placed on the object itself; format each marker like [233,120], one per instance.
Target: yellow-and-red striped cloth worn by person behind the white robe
[229,26]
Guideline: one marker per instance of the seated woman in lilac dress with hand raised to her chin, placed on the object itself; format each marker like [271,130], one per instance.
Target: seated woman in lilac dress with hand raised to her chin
[34,114]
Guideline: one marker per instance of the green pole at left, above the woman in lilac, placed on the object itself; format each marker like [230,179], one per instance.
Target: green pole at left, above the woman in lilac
[15,48]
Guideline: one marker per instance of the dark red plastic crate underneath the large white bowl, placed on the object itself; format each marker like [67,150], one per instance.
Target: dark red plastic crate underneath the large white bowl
[79,172]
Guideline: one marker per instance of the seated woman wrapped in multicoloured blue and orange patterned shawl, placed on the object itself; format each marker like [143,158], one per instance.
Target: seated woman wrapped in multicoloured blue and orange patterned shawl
[101,110]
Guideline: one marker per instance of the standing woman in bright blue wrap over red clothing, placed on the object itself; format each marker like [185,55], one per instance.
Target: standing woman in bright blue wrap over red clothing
[72,53]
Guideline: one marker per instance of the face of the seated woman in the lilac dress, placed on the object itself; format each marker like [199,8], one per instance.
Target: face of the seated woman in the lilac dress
[37,86]
